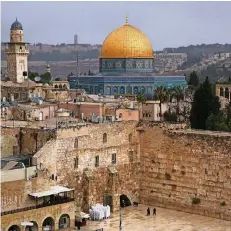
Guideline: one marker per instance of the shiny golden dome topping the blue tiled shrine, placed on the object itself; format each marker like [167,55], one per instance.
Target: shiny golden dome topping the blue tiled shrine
[126,42]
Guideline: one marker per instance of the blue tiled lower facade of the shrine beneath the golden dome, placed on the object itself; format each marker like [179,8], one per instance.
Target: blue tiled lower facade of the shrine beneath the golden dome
[118,84]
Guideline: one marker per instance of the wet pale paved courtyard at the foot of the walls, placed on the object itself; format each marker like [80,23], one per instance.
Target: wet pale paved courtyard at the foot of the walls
[135,219]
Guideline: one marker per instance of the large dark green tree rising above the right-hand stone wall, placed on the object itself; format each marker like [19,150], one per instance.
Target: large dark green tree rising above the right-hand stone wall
[204,104]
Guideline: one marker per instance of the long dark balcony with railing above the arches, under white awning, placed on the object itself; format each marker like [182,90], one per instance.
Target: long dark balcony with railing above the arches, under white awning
[42,205]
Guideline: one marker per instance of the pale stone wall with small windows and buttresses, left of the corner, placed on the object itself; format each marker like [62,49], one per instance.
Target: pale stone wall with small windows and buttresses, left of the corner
[91,182]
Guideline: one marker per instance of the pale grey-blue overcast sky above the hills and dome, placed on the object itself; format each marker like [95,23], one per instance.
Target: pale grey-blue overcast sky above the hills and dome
[167,24]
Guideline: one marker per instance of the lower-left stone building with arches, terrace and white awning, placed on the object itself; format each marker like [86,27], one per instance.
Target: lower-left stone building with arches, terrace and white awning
[28,194]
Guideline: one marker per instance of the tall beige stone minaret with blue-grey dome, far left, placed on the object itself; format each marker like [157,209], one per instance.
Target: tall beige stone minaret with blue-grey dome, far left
[17,52]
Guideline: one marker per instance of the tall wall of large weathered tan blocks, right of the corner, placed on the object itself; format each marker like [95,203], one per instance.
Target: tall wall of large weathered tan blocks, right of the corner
[179,166]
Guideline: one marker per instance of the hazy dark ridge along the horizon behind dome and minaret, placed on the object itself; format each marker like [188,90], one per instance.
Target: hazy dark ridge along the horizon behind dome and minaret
[66,52]
